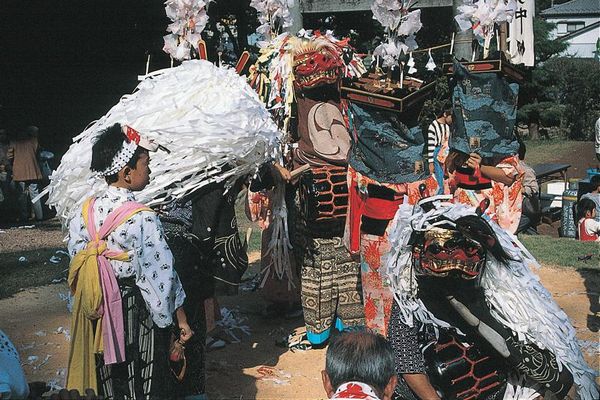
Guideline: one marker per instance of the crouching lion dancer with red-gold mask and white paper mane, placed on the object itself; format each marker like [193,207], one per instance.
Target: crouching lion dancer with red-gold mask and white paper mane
[470,312]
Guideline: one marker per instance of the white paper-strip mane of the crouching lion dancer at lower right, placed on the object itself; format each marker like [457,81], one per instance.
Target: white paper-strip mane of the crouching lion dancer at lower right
[517,298]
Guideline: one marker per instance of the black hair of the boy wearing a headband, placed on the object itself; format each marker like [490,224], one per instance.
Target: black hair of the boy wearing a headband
[106,146]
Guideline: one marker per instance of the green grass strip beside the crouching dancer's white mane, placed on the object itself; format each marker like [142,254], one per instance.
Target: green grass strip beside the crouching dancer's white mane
[562,252]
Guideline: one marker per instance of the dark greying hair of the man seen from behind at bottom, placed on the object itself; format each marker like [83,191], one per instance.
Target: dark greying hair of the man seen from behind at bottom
[360,356]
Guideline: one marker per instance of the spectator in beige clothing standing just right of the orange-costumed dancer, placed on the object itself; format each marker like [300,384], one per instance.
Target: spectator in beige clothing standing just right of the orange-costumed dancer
[530,210]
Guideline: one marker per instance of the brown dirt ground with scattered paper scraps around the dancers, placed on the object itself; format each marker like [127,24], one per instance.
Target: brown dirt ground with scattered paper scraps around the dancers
[37,320]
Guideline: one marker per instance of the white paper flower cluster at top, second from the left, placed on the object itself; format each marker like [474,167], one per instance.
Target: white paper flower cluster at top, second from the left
[273,15]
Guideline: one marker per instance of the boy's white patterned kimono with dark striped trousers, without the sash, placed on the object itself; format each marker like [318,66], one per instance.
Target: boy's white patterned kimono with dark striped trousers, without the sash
[150,292]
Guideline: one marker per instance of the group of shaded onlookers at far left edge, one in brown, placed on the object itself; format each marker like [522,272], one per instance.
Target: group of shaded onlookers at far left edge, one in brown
[24,171]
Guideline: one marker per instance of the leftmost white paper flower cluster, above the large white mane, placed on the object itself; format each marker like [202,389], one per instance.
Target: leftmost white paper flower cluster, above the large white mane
[189,20]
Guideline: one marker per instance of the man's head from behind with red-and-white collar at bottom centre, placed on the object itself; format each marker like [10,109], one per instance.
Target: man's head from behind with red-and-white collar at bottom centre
[359,365]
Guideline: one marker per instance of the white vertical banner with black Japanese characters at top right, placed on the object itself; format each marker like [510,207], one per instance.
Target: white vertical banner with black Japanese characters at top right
[521,34]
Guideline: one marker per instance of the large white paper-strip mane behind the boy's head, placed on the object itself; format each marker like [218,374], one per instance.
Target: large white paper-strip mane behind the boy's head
[209,118]
